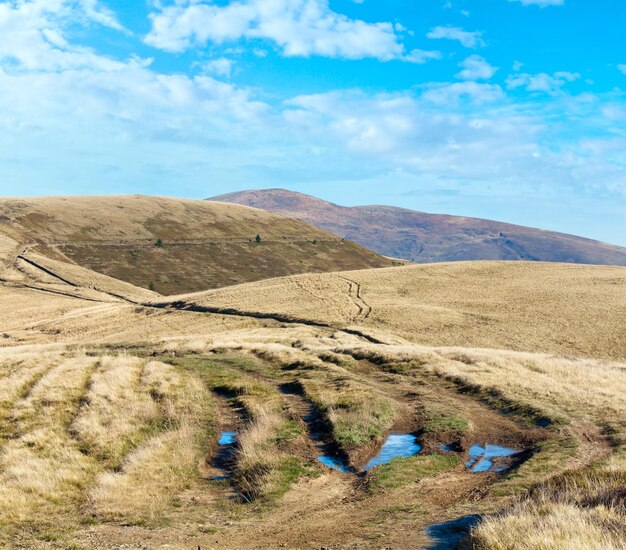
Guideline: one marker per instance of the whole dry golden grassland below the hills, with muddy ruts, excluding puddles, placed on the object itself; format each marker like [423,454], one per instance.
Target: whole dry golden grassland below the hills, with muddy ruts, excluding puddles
[113,400]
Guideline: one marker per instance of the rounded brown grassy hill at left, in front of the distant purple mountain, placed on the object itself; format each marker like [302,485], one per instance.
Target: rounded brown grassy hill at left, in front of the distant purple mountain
[201,245]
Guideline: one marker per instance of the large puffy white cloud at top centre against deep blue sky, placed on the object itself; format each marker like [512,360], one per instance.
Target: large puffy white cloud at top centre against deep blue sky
[299,27]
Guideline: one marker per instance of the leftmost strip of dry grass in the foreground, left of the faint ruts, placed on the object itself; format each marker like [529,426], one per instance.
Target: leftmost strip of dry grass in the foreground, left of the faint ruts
[42,470]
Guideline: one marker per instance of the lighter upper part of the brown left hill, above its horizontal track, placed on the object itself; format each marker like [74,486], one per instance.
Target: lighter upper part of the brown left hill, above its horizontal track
[130,218]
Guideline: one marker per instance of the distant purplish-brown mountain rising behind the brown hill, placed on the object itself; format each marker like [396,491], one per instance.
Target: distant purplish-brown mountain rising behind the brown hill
[428,238]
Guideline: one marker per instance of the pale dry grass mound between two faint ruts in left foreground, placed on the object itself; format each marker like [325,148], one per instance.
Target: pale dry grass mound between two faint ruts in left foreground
[117,412]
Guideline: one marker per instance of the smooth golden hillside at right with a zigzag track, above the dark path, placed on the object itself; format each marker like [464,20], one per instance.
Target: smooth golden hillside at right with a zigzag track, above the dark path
[557,308]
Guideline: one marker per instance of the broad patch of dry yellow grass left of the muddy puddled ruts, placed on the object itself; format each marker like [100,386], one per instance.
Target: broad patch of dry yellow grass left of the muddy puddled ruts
[69,418]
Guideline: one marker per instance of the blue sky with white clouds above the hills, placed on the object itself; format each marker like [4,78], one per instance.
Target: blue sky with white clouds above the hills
[513,110]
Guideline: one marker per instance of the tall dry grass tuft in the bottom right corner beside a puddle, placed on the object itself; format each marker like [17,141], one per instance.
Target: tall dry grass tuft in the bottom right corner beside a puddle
[577,510]
